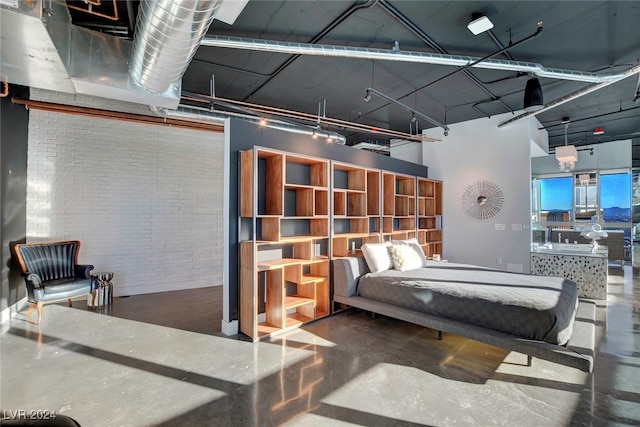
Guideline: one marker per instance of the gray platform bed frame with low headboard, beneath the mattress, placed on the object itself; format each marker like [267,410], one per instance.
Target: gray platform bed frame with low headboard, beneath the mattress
[578,353]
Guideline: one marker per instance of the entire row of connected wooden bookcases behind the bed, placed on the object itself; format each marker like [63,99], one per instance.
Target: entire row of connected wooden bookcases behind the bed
[298,212]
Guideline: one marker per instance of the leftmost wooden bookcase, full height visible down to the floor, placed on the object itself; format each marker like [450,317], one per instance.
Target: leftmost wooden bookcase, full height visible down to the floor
[284,248]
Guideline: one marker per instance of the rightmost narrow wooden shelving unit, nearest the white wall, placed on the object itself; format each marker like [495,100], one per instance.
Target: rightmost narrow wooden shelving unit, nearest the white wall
[429,227]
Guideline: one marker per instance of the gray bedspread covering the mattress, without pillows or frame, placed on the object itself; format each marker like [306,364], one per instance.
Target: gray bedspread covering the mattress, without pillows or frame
[533,307]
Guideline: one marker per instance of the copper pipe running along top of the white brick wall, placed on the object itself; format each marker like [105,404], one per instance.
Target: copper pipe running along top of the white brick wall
[115,115]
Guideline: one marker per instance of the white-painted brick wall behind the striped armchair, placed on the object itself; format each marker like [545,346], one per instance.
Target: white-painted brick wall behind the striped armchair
[144,200]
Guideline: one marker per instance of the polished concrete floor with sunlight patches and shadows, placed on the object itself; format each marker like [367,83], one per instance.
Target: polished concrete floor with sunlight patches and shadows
[159,360]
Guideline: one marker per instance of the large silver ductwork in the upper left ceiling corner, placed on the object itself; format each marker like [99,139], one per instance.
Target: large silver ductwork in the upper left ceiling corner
[42,49]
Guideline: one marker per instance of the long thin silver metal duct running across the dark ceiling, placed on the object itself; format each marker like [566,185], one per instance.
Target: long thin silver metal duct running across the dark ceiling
[404,56]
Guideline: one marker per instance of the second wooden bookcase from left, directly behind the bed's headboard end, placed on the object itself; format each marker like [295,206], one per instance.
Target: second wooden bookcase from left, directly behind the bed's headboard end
[356,208]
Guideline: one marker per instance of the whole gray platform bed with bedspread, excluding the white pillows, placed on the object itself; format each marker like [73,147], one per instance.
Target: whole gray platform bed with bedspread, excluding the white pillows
[535,315]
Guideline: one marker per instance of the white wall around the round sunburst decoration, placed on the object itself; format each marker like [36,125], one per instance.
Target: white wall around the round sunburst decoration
[479,150]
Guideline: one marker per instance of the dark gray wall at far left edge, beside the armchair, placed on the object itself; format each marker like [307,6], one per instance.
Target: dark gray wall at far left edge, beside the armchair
[14,121]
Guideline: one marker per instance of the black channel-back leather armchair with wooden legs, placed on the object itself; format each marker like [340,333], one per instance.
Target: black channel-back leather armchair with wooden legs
[52,273]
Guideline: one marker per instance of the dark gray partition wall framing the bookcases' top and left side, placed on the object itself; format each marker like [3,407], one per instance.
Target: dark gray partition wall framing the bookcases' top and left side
[244,136]
